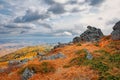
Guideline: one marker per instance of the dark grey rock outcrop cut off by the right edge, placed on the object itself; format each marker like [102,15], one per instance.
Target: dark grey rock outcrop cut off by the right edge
[116,31]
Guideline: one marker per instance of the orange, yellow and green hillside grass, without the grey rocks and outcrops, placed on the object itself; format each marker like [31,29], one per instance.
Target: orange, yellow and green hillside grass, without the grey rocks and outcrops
[103,65]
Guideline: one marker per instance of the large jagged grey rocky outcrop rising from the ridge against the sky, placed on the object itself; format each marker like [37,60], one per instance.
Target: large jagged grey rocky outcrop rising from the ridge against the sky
[91,34]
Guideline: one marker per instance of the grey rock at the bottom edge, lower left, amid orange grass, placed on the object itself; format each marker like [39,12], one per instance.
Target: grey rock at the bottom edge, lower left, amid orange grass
[27,73]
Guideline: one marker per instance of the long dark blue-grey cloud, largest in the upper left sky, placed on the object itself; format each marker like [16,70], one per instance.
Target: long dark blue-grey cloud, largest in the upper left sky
[31,16]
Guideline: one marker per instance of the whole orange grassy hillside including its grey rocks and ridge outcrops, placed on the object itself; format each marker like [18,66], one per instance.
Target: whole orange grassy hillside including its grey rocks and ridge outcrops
[91,56]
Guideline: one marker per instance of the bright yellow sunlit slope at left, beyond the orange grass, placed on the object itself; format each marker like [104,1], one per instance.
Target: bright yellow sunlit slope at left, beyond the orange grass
[26,52]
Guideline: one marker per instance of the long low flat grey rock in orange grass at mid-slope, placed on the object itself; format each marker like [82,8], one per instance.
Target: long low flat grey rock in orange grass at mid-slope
[53,57]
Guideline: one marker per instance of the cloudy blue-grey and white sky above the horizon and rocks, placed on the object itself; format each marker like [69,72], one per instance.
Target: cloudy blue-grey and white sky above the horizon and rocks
[56,17]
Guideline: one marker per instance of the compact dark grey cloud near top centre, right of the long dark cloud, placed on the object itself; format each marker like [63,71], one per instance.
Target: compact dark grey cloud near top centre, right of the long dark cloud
[57,8]
